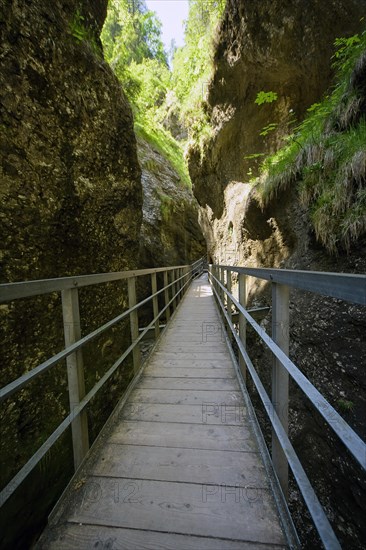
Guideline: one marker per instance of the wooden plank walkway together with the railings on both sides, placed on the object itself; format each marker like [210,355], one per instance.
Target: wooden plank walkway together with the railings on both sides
[182,463]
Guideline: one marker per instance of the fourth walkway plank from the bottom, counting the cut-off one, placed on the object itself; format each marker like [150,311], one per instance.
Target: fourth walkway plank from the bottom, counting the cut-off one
[188,436]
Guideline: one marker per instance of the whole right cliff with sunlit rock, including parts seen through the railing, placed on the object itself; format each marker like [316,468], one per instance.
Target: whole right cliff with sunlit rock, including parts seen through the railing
[285,47]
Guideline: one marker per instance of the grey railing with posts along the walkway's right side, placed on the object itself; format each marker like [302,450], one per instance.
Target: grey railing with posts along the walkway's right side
[342,286]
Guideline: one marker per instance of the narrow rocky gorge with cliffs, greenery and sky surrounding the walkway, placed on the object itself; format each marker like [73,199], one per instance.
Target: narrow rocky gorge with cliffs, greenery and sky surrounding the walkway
[244,141]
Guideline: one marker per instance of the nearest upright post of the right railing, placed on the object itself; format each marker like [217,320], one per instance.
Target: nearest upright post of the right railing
[280,377]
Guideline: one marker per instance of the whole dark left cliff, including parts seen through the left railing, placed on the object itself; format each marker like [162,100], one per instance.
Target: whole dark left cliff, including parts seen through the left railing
[71,203]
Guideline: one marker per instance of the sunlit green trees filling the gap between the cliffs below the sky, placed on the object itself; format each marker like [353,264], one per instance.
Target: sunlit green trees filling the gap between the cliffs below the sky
[133,47]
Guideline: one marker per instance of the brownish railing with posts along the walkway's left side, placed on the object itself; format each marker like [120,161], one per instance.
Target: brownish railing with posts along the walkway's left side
[172,292]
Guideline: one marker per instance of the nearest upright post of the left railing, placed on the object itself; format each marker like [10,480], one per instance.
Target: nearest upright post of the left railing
[75,373]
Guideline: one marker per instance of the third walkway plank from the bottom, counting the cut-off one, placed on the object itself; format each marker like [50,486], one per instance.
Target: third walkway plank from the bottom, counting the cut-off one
[185,465]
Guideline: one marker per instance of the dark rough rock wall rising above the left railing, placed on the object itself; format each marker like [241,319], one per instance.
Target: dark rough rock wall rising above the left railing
[70,182]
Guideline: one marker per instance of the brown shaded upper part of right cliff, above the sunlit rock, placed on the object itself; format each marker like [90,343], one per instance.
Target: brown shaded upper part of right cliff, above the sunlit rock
[284,47]
